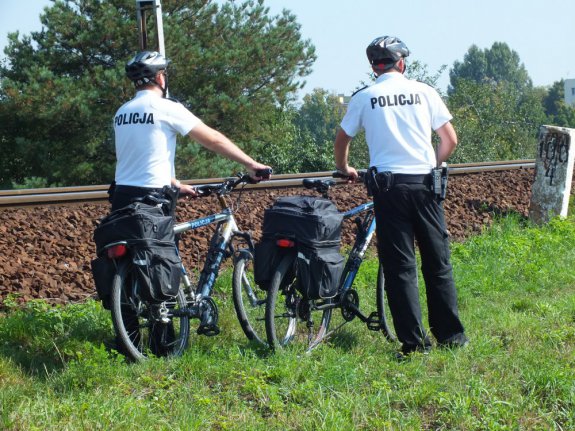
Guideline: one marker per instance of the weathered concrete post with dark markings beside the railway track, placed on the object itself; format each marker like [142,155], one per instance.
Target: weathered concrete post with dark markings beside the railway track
[553,174]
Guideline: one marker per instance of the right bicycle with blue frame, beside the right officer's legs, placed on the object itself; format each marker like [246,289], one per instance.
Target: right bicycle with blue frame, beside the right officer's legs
[286,307]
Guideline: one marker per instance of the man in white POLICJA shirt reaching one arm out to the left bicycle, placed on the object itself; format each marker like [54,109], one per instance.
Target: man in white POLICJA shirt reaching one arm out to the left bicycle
[145,131]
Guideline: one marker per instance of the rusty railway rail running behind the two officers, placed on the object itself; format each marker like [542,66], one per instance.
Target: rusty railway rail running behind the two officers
[80,194]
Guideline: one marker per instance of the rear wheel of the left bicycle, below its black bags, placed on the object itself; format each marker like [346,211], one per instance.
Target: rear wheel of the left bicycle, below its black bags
[144,328]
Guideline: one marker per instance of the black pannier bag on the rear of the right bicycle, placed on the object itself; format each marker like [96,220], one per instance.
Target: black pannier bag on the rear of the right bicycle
[315,225]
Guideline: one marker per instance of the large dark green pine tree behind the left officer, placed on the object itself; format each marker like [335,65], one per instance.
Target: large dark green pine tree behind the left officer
[232,65]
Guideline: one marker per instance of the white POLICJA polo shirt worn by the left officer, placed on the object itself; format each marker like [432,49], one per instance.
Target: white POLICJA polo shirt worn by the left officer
[146,129]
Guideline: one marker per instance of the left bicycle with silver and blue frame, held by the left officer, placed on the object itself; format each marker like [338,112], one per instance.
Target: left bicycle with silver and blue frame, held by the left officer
[162,328]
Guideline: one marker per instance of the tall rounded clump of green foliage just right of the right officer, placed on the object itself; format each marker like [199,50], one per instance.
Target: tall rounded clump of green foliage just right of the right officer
[496,110]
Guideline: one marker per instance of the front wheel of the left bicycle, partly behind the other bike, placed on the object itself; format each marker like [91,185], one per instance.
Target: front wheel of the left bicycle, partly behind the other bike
[249,300]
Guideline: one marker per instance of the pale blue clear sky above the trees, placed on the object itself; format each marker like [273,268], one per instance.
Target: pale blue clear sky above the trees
[437,32]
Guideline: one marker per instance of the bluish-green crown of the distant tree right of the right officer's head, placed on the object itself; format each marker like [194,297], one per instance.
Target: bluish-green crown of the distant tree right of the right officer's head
[495,65]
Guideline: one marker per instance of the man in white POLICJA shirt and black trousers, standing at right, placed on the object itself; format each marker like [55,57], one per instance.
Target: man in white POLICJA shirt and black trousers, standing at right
[398,116]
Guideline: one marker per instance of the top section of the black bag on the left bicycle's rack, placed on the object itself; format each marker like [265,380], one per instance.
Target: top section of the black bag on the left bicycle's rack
[135,221]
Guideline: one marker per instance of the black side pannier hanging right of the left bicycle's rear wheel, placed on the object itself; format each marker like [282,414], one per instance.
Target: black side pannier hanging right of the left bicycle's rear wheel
[158,269]
